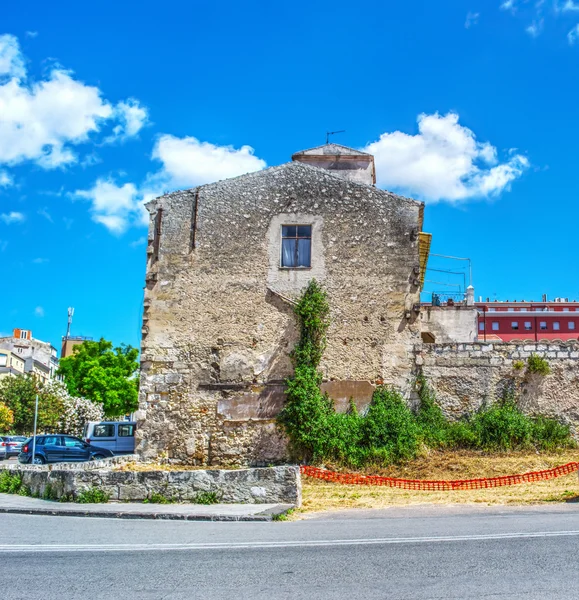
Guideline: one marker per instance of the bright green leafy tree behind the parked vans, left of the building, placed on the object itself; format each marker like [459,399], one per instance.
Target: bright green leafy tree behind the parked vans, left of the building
[103,374]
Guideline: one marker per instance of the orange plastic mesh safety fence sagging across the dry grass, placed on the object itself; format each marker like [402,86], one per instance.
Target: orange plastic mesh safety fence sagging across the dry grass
[432,486]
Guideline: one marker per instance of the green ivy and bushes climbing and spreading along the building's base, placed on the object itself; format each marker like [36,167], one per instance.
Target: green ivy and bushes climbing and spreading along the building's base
[390,432]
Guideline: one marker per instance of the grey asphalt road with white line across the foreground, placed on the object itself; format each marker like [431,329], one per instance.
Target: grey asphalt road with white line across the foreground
[417,553]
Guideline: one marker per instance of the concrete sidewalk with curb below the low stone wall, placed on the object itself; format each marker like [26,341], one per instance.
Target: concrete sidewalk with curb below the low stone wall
[11,503]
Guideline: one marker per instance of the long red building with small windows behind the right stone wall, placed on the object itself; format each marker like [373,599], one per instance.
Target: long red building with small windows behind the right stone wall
[548,320]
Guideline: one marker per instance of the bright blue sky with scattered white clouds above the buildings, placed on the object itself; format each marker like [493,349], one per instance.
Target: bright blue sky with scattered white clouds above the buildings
[470,105]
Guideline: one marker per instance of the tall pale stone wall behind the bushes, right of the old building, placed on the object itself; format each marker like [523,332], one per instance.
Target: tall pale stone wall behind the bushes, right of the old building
[464,376]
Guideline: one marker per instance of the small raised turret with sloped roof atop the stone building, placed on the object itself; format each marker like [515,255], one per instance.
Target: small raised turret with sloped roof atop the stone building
[342,161]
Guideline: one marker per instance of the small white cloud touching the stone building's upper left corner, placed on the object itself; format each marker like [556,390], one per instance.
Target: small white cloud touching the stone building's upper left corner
[112,205]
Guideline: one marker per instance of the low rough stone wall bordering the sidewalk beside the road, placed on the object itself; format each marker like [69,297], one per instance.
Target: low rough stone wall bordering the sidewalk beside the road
[269,485]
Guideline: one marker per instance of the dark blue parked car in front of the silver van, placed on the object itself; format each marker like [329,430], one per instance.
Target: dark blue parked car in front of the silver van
[60,448]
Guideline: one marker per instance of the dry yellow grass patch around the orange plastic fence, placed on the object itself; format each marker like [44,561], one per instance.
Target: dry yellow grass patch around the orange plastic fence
[321,495]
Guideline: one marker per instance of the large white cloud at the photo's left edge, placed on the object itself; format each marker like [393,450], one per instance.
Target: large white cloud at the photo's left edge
[43,120]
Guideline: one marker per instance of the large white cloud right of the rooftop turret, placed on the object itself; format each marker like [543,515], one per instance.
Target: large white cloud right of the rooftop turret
[443,161]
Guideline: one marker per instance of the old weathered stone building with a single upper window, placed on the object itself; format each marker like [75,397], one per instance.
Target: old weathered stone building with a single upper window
[225,263]
